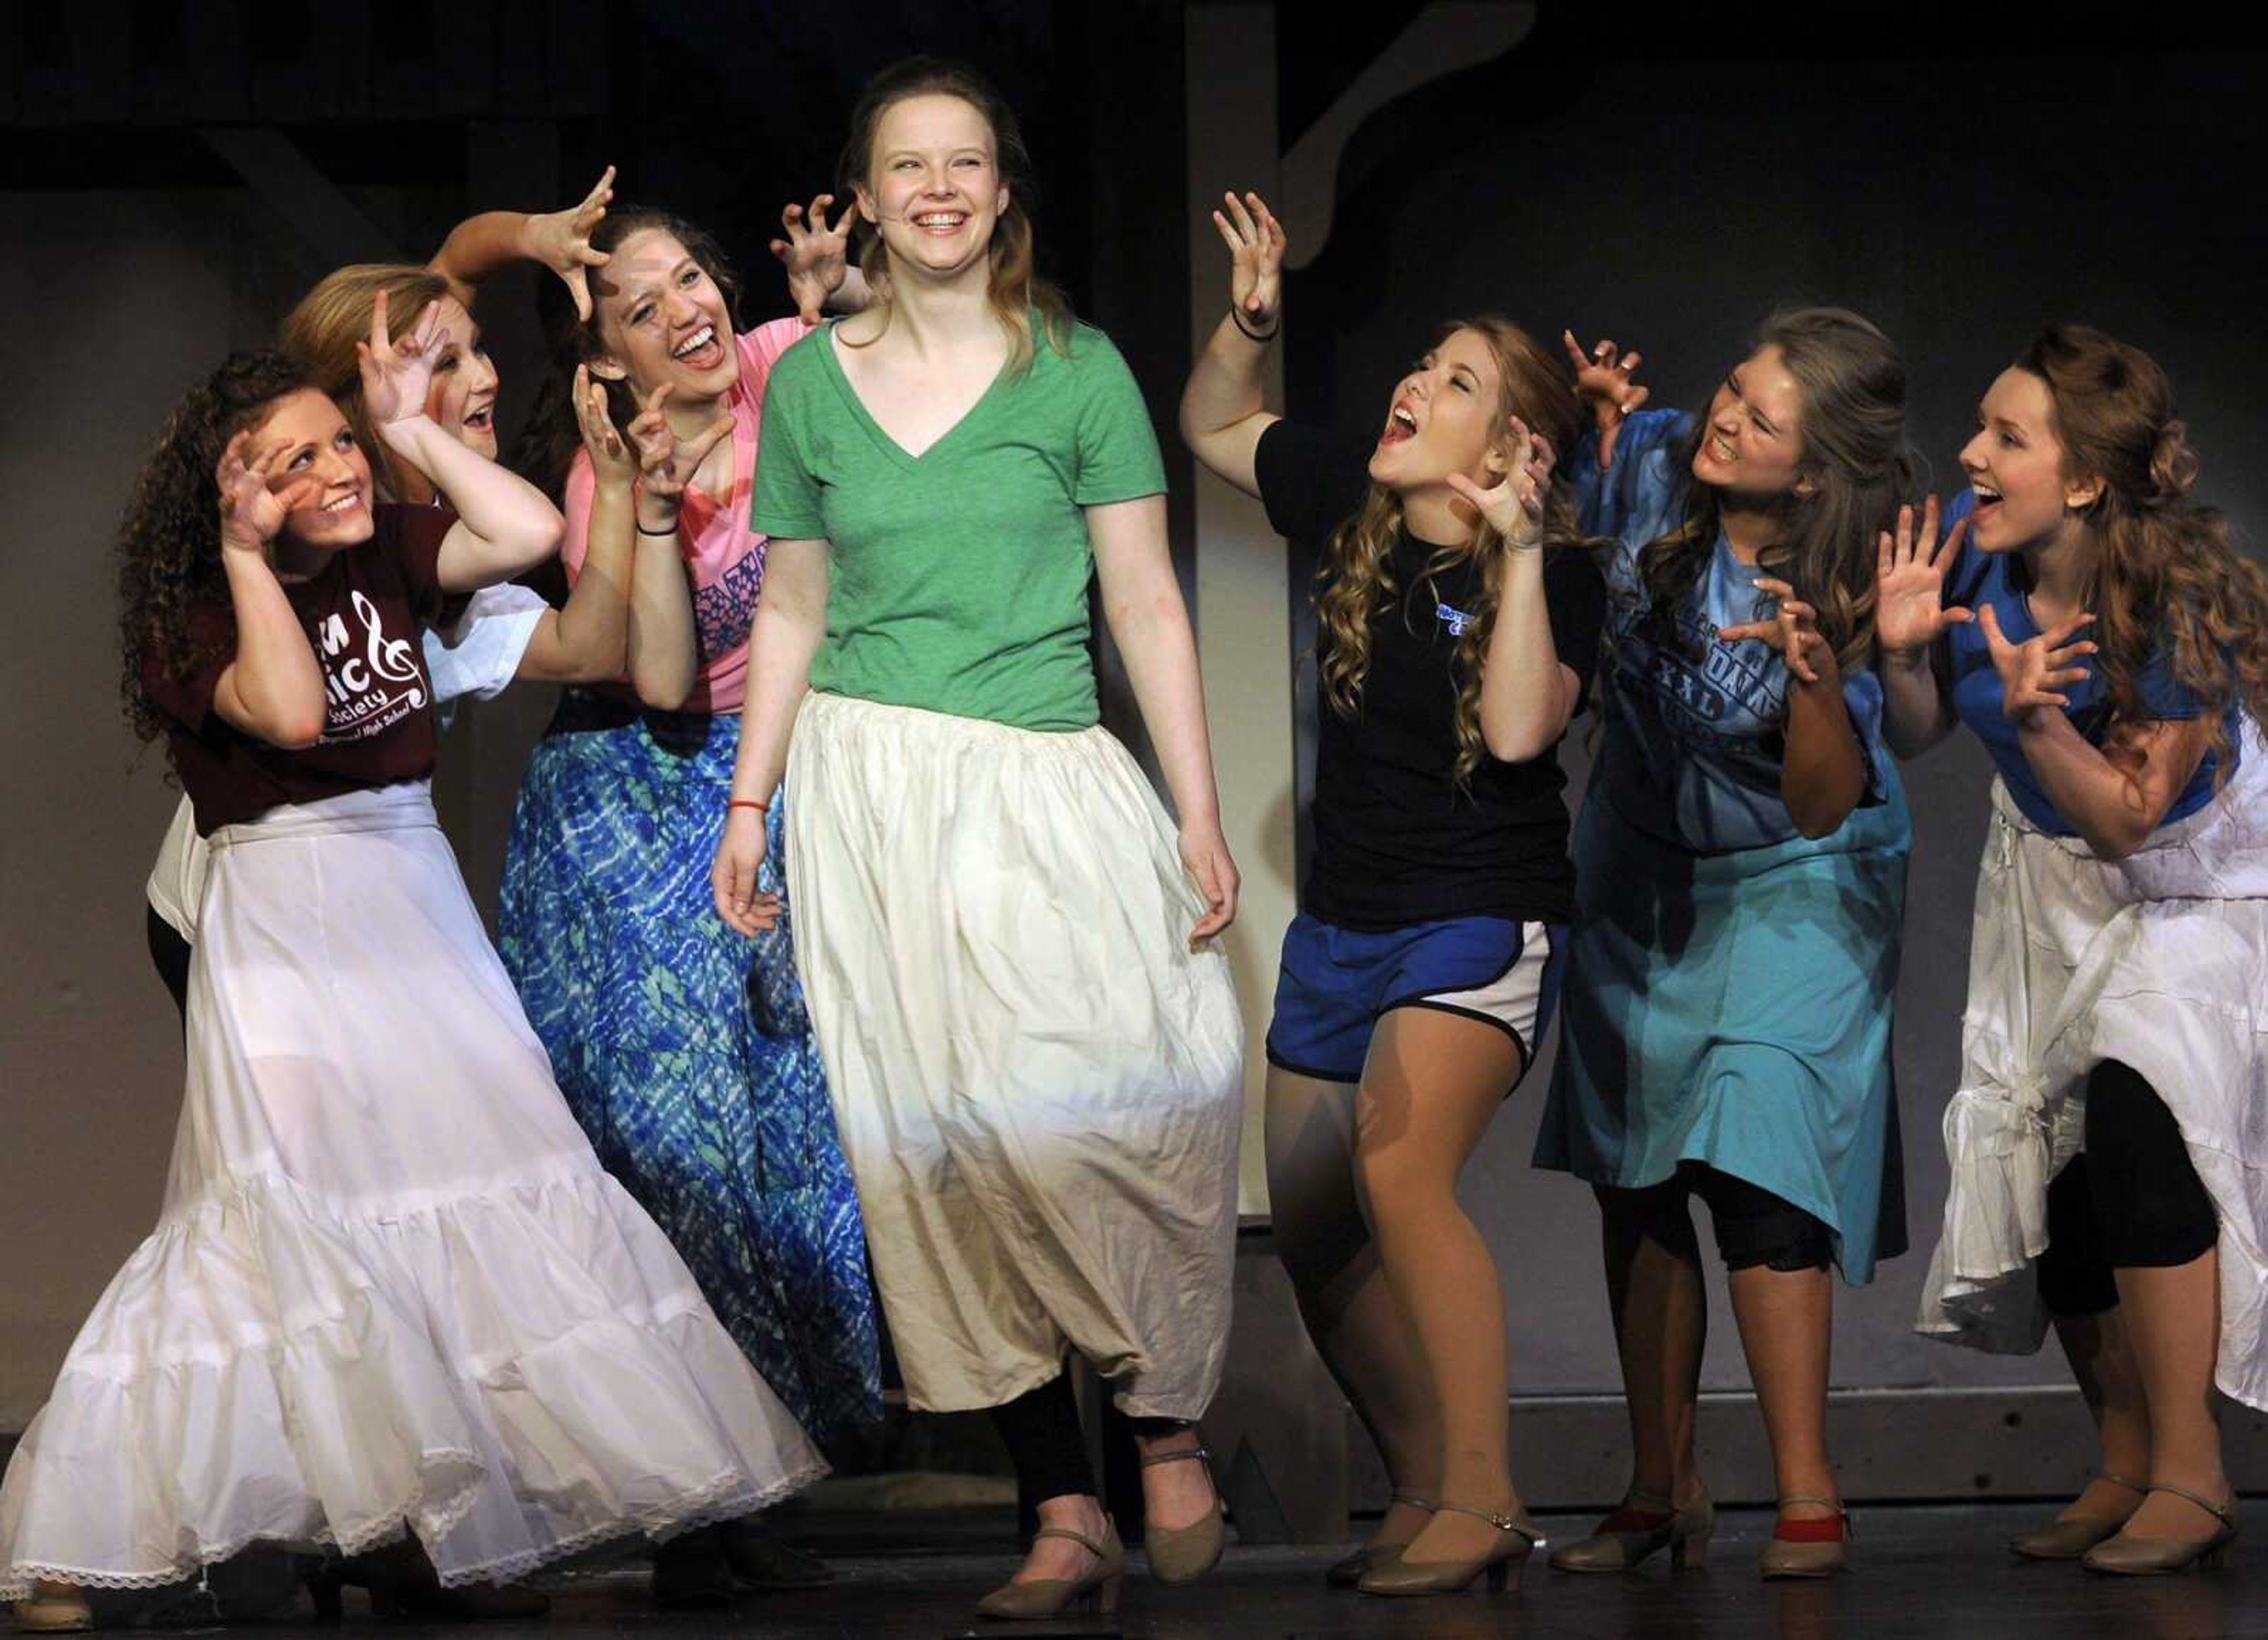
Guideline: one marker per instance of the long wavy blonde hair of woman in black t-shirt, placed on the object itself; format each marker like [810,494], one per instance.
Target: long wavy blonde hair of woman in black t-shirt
[1355,577]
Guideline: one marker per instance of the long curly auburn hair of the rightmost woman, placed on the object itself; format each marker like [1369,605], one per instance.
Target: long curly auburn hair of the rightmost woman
[2169,580]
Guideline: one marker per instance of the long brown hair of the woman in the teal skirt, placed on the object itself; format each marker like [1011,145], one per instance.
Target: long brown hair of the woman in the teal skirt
[1861,468]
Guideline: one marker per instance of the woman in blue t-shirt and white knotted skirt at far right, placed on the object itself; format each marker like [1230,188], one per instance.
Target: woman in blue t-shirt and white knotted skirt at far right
[2110,648]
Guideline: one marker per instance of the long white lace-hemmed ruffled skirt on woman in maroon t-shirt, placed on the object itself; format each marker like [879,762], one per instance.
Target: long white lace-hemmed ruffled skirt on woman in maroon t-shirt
[391,1285]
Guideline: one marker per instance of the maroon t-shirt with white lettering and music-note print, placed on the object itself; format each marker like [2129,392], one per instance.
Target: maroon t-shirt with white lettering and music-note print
[364,614]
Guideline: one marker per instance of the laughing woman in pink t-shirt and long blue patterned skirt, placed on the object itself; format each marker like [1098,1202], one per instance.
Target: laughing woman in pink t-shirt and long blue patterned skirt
[682,1045]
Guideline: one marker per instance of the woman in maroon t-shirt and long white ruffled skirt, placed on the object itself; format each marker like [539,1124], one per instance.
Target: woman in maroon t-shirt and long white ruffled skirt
[391,1292]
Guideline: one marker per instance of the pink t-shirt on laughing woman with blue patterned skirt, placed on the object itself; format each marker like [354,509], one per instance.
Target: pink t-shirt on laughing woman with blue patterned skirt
[722,555]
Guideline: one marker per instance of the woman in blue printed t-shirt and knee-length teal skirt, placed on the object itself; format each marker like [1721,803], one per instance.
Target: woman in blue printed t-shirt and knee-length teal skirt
[1741,884]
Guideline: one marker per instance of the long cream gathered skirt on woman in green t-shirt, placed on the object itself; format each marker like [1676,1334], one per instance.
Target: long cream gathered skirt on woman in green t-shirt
[1038,1083]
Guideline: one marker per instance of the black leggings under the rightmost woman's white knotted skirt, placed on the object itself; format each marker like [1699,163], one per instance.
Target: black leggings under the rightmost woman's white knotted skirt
[2131,1201]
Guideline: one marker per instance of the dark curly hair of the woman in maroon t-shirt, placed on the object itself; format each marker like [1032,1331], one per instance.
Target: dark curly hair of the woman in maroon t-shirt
[169,541]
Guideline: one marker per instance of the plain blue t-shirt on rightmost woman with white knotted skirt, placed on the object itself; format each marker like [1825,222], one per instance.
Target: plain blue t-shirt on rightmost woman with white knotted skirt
[1979,580]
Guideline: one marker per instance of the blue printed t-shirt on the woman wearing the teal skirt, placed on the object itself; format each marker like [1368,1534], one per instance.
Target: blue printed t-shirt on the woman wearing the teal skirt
[1693,743]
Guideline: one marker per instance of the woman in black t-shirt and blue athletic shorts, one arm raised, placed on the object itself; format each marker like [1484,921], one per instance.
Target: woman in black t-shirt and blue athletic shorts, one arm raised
[1459,625]
